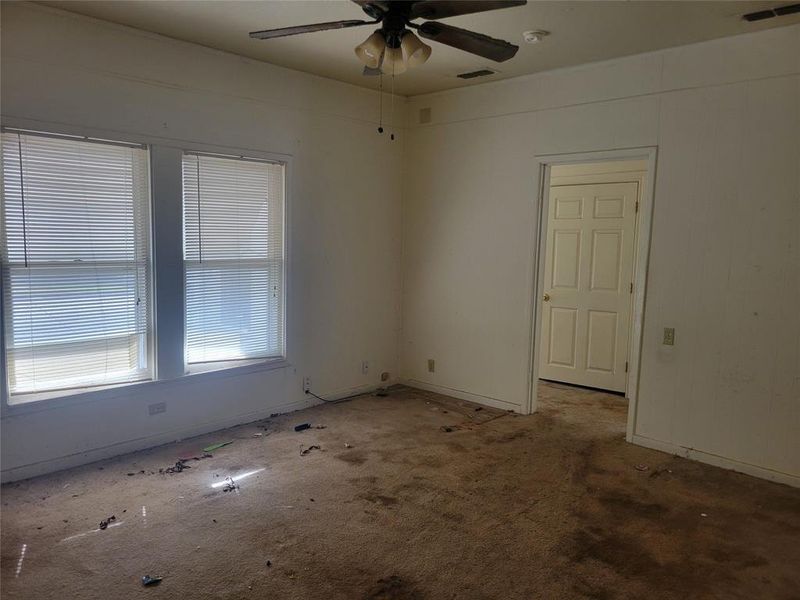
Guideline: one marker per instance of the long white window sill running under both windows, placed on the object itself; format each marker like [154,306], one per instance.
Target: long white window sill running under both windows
[40,401]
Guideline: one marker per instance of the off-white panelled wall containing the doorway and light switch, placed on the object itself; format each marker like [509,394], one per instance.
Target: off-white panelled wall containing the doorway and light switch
[725,248]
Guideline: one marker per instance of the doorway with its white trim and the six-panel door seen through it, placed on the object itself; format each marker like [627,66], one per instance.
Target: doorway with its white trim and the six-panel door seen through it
[594,234]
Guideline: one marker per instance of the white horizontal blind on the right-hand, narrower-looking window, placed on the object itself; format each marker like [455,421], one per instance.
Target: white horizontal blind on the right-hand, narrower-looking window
[234,258]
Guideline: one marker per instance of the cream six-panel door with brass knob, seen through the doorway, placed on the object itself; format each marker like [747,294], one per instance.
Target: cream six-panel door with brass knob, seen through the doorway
[588,284]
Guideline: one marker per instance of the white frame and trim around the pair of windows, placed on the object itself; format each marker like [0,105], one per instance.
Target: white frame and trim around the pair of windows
[163,173]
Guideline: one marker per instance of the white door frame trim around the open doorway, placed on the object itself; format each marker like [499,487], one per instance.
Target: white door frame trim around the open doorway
[544,163]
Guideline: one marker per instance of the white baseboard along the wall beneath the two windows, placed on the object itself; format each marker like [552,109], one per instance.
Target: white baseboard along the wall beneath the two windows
[168,437]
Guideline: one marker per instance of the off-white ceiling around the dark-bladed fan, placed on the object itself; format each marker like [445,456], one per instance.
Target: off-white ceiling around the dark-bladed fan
[581,32]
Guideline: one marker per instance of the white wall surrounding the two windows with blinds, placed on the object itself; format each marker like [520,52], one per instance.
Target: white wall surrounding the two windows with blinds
[76,75]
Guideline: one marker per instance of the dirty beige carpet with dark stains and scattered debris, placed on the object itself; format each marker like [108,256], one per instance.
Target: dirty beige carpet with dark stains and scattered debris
[393,505]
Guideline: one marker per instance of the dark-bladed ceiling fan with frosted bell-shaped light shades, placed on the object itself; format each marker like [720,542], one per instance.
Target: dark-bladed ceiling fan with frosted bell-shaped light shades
[393,48]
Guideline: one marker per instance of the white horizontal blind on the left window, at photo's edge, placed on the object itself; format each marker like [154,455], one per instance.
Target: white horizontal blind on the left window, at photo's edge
[76,262]
